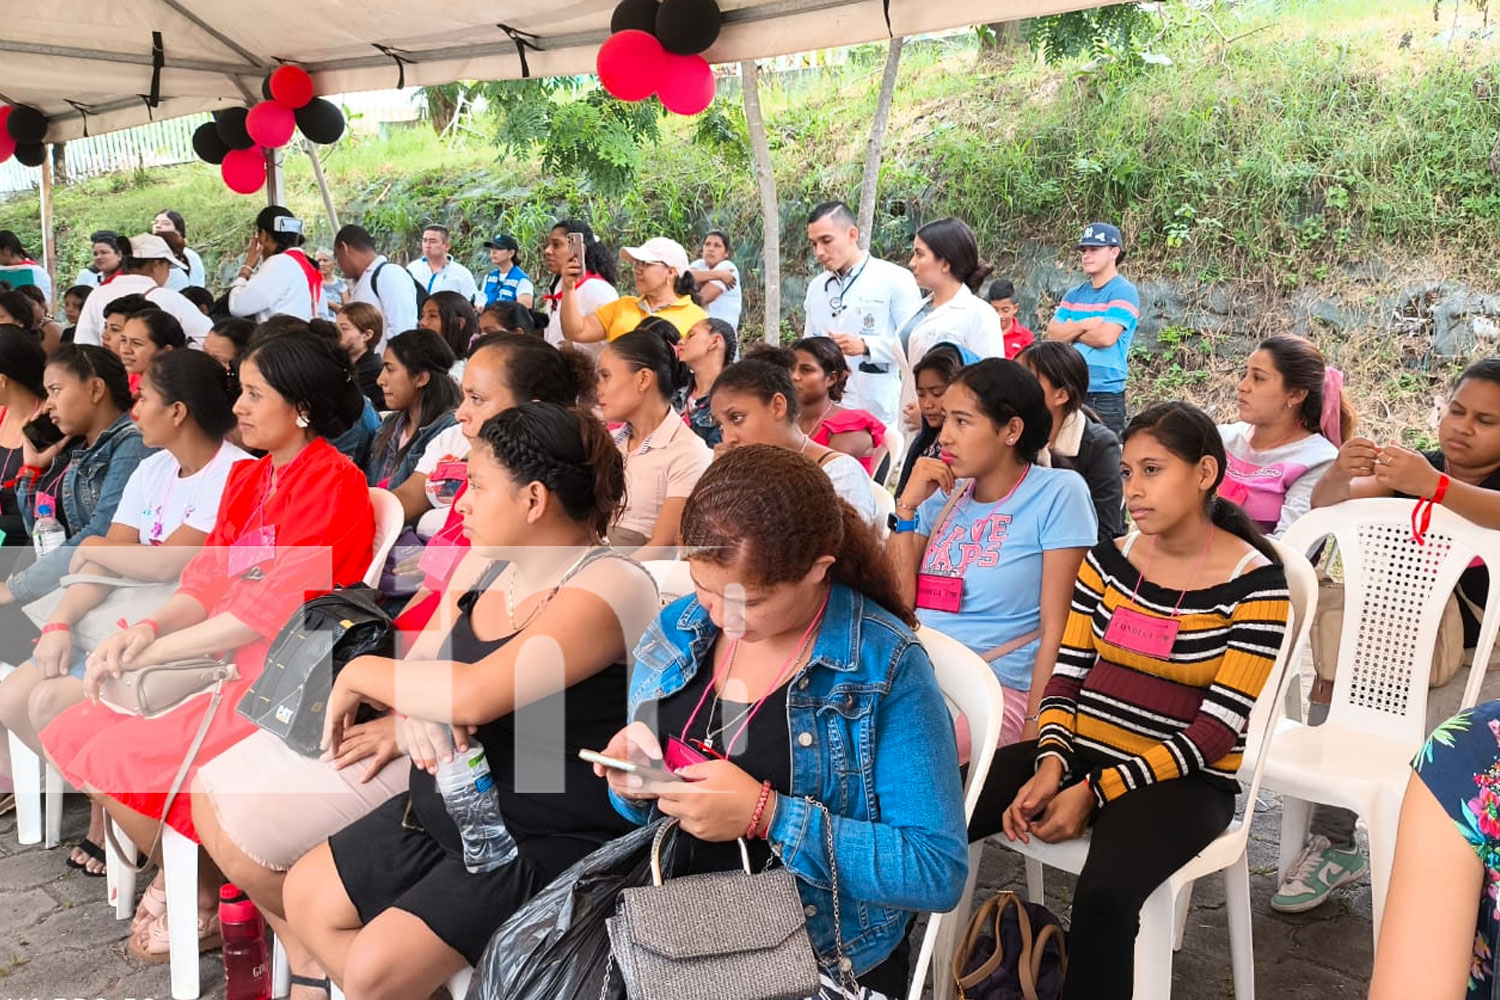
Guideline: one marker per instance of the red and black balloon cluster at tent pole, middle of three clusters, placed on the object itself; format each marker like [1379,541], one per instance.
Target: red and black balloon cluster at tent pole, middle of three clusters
[238,139]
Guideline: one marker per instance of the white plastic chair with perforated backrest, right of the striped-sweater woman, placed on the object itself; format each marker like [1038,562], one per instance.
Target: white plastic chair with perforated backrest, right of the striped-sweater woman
[1394,594]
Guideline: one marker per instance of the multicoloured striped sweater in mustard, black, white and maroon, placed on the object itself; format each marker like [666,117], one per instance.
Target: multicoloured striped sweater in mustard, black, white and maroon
[1160,719]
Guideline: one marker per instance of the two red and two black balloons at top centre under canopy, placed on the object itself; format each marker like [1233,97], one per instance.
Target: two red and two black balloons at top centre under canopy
[656,49]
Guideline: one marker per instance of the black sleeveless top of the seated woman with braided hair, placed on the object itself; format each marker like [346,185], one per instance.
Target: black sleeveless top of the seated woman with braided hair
[547,794]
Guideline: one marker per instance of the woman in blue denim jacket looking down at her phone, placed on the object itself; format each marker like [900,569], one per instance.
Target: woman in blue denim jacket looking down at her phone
[808,704]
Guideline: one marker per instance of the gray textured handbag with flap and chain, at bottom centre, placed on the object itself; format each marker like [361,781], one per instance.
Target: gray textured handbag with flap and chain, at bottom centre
[694,938]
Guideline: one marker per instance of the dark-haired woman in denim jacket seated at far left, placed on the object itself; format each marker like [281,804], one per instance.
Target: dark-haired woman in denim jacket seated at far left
[89,400]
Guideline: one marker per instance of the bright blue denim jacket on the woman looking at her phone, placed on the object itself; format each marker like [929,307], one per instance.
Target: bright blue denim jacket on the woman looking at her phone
[872,740]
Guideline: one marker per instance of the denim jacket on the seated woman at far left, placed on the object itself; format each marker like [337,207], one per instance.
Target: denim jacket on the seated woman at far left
[92,487]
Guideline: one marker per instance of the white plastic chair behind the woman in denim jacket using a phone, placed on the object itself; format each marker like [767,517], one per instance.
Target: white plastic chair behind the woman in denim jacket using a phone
[971,689]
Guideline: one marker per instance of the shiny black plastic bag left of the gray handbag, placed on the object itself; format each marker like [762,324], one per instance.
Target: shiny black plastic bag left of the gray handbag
[556,948]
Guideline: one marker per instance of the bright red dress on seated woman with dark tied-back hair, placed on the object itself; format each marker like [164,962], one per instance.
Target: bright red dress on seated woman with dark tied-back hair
[322,506]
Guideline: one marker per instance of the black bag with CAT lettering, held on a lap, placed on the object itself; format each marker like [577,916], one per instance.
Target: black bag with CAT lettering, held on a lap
[292,696]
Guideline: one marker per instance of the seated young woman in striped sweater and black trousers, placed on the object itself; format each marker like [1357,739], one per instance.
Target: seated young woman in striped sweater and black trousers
[1174,630]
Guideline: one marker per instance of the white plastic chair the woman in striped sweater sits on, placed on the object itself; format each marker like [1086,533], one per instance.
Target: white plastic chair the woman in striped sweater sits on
[1163,918]
